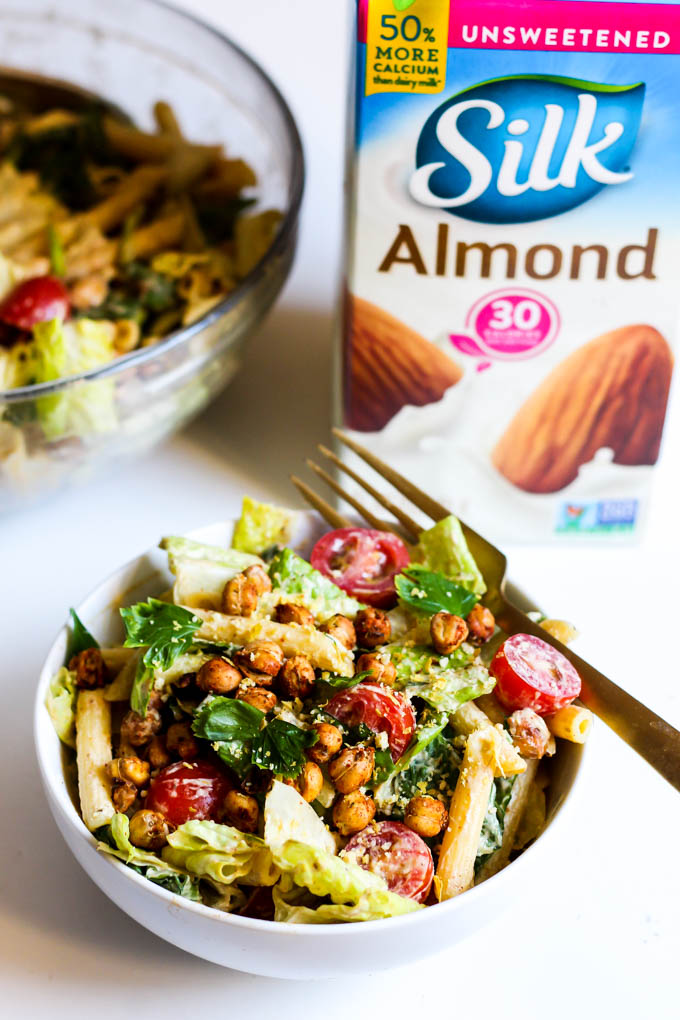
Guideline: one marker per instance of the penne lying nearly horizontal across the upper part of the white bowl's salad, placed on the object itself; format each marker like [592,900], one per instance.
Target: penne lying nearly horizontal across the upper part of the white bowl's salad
[323,651]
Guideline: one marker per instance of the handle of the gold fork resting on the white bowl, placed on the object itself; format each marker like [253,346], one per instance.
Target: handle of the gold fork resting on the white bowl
[644,731]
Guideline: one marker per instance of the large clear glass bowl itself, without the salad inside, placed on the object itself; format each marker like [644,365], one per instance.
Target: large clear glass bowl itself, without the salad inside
[131,55]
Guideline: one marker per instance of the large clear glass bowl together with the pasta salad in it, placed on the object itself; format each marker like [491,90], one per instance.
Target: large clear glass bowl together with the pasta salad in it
[140,243]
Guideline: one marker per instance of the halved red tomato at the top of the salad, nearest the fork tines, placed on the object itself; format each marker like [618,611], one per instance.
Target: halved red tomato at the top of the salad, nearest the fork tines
[362,563]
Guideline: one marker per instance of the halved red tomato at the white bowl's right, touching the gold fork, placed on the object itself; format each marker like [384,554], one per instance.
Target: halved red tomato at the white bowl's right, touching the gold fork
[531,674]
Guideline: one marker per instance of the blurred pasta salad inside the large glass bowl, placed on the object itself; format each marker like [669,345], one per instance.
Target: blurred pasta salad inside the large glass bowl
[112,238]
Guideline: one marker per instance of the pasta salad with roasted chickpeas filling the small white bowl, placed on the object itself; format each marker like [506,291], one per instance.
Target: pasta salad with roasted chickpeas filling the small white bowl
[344,738]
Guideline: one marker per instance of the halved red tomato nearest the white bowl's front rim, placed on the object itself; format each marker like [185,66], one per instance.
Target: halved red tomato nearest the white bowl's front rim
[394,852]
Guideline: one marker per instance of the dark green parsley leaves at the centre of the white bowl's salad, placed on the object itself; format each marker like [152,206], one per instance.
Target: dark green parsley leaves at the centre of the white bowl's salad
[242,741]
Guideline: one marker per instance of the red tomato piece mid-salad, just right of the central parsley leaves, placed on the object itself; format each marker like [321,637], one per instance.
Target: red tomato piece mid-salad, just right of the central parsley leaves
[380,708]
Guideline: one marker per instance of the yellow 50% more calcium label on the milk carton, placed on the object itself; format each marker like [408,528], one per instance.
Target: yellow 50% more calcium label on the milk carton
[407,46]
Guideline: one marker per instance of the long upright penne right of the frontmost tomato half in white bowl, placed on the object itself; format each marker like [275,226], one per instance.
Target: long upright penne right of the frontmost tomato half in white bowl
[455,872]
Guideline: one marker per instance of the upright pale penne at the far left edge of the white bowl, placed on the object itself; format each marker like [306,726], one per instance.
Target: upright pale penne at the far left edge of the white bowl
[93,749]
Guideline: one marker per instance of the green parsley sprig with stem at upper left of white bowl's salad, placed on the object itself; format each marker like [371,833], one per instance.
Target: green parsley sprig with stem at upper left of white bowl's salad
[168,631]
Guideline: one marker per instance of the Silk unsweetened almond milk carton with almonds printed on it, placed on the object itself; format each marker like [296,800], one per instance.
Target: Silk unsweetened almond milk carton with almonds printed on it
[514,258]
